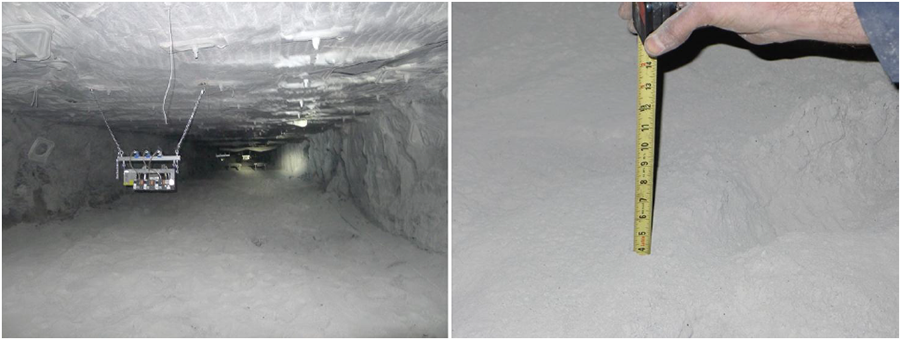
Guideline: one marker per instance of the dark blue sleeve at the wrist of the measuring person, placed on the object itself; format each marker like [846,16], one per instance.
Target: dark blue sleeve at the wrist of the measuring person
[879,20]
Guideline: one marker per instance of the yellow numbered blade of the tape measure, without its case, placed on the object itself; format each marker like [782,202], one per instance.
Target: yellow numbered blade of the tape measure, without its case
[646,148]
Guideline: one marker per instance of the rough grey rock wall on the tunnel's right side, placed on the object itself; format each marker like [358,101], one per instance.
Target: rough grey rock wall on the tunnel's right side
[392,164]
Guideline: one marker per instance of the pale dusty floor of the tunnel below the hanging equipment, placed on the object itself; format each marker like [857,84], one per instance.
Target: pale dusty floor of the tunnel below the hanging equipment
[246,254]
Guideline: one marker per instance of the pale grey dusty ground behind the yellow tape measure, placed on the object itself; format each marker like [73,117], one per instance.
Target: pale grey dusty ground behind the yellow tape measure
[776,211]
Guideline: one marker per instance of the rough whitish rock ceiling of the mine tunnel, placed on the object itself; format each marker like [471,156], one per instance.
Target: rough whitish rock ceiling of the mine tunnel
[264,66]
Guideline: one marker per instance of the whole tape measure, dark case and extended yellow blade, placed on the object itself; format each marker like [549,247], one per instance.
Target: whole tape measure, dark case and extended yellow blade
[647,16]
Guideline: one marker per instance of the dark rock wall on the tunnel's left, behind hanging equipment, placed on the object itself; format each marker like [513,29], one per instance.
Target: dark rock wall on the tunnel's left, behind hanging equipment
[78,172]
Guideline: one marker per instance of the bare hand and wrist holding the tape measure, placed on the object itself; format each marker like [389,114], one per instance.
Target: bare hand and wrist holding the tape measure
[758,23]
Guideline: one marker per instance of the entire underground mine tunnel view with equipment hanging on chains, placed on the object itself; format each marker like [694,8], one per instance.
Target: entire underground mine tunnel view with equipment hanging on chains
[224,169]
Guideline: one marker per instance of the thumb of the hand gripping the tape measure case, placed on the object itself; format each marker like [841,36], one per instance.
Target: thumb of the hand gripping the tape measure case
[676,30]
